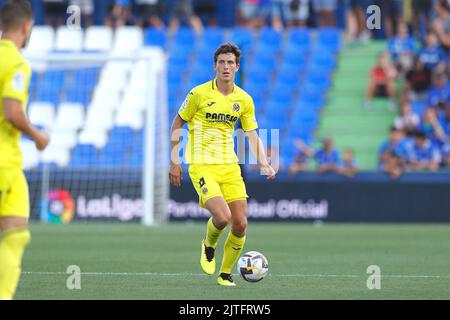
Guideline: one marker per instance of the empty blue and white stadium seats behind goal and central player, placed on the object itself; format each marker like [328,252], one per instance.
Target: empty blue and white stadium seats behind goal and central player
[95,113]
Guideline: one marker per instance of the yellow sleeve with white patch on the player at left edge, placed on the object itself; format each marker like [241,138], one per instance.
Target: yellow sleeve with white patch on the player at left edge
[16,83]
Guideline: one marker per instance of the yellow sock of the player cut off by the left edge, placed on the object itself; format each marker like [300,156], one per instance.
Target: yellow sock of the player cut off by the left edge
[12,247]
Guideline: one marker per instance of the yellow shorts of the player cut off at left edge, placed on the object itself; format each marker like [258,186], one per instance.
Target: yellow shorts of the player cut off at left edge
[14,197]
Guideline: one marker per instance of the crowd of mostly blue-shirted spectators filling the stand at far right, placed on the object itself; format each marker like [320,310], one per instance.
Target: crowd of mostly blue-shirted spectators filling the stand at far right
[418,64]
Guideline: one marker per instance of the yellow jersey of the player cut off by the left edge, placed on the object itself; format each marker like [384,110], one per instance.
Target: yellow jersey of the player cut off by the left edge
[15,74]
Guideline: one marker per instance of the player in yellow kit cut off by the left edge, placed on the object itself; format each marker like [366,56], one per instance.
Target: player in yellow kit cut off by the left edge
[16,22]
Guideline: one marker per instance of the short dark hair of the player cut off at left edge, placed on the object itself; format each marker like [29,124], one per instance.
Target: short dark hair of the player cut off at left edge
[13,13]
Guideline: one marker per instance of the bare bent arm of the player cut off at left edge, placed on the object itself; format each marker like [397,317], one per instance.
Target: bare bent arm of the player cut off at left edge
[14,114]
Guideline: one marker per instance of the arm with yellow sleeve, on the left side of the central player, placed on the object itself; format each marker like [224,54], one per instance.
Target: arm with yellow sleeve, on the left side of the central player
[185,114]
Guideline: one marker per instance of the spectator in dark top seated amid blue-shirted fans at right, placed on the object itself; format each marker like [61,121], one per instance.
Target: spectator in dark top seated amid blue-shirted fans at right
[418,82]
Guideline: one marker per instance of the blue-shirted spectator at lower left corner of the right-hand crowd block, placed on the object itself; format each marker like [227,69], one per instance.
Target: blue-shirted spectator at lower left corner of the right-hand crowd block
[393,154]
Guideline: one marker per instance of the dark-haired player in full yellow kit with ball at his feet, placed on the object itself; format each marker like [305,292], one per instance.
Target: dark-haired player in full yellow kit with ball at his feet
[211,111]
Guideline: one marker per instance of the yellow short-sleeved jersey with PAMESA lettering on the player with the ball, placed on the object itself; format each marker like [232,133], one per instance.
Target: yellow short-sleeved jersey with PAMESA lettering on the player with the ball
[211,118]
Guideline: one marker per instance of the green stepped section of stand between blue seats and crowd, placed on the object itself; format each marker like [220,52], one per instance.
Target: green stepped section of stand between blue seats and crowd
[345,118]
